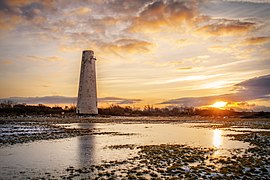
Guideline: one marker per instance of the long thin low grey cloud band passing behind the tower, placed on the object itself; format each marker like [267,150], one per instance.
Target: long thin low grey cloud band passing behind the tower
[66,100]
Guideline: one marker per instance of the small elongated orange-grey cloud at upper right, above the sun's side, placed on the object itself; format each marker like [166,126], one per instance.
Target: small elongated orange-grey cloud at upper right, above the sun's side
[225,27]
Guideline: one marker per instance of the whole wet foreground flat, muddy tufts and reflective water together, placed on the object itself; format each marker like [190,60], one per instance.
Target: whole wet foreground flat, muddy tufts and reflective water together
[134,148]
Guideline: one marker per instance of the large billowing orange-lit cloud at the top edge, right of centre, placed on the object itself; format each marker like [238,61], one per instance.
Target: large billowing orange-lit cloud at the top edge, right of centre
[161,15]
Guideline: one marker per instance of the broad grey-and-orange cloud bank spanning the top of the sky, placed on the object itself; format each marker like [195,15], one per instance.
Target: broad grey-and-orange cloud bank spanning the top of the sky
[129,16]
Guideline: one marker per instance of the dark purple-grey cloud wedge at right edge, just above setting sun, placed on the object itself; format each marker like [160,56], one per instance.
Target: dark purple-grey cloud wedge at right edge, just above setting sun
[252,89]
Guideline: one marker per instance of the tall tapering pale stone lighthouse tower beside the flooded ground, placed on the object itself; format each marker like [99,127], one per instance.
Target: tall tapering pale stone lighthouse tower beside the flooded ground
[87,95]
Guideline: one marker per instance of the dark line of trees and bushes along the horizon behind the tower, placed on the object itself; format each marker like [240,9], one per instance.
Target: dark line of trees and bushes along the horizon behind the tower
[11,109]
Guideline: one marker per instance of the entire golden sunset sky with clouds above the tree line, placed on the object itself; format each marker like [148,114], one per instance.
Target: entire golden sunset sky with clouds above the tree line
[156,52]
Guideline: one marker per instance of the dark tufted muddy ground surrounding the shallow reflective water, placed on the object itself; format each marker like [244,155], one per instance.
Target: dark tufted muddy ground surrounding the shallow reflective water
[151,160]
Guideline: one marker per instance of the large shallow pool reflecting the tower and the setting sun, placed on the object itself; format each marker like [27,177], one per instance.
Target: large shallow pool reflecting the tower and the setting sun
[54,156]
